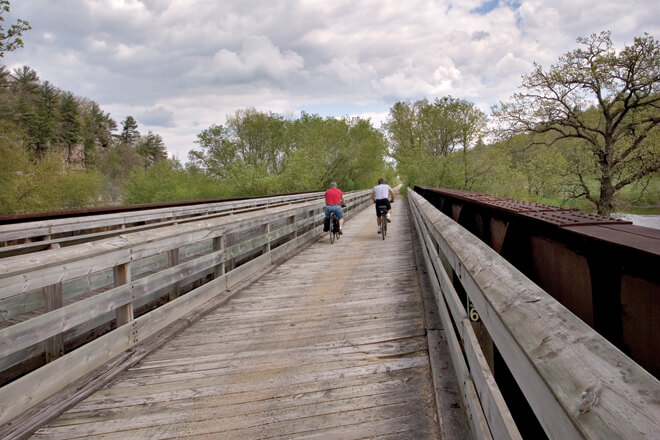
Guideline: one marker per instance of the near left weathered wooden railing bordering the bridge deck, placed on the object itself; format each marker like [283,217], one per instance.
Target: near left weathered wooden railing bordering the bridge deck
[124,289]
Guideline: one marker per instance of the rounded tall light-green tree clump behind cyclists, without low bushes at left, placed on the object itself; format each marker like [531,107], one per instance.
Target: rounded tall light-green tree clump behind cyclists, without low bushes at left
[259,153]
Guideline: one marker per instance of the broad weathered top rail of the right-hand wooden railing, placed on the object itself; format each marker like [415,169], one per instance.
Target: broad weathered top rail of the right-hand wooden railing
[571,376]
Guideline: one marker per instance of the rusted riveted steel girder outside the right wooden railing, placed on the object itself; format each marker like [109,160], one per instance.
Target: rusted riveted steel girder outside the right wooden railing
[605,270]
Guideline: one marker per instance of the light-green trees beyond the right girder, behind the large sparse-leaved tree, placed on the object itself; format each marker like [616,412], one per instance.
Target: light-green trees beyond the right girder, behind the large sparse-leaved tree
[441,144]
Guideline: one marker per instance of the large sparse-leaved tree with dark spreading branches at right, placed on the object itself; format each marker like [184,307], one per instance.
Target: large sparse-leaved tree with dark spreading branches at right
[604,103]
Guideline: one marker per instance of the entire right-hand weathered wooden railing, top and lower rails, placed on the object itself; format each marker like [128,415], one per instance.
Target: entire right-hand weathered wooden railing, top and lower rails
[577,384]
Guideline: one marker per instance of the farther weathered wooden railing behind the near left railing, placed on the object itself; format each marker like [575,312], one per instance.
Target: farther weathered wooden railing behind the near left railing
[22,238]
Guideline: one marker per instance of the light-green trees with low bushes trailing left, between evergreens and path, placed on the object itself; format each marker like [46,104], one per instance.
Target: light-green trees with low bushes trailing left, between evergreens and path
[258,153]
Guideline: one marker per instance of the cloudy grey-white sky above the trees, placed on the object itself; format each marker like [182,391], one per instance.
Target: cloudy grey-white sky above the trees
[180,66]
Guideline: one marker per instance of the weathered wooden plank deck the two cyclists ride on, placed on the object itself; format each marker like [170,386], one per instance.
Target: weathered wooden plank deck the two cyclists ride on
[329,345]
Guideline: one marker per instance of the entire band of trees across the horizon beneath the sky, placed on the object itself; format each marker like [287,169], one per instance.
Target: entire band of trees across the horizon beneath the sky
[586,132]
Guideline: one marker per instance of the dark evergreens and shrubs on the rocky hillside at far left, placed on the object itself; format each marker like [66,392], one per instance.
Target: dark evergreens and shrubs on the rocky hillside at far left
[60,150]
